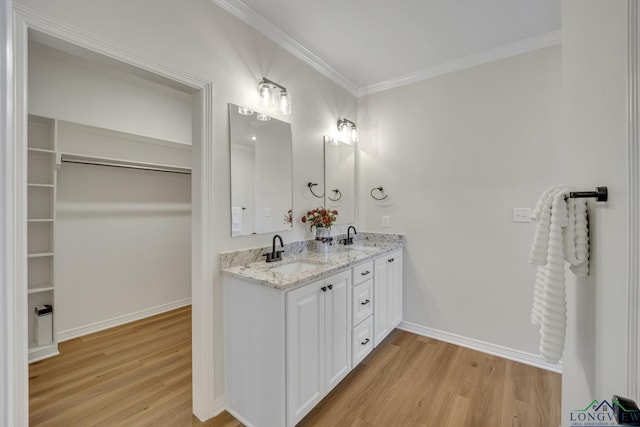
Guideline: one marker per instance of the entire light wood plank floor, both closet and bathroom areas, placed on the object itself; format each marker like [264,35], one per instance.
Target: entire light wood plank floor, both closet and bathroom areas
[139,374]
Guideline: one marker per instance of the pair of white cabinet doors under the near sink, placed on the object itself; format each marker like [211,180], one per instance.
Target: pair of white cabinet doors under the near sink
[318,342]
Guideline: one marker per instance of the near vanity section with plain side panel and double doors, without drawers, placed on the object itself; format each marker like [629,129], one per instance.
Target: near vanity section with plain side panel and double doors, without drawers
[285,350]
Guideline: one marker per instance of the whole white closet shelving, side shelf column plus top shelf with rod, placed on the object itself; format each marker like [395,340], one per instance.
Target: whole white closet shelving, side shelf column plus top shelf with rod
[50,142]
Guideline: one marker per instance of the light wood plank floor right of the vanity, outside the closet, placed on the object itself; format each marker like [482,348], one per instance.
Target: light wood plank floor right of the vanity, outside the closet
[411,380]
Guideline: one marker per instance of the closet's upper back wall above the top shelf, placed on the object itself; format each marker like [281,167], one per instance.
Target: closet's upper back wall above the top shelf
[59,83]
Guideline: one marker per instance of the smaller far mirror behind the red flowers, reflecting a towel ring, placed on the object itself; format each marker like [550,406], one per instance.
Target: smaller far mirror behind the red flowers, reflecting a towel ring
[339,179]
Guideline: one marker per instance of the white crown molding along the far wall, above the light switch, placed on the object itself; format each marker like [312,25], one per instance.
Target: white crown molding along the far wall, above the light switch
[501,52]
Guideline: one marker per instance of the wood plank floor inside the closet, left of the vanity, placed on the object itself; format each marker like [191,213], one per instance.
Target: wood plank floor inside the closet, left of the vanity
[138,374]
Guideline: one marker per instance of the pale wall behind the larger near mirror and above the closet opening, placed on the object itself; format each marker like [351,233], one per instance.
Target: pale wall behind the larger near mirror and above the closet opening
[200,38]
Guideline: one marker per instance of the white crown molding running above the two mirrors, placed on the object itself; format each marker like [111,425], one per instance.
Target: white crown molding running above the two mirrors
[257,21]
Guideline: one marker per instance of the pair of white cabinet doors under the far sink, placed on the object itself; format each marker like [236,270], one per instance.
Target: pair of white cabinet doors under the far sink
[387,281]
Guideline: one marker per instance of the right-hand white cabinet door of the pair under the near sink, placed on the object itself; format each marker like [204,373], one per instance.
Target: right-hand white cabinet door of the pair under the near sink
[337,328]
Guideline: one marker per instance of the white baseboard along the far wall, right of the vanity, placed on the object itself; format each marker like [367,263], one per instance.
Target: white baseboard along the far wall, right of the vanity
[485,347]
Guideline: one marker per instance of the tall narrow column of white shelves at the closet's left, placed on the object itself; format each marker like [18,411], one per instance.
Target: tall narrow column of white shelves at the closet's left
[41,212]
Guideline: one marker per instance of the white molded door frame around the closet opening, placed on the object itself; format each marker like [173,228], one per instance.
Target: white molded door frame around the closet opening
[202,232]
